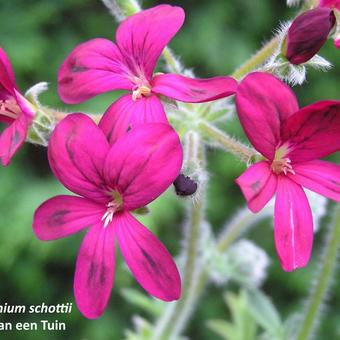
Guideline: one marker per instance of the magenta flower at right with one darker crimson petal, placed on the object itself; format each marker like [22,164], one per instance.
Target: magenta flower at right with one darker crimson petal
[291,140]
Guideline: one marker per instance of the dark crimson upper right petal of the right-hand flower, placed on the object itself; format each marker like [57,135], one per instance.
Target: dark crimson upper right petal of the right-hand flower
[313,132]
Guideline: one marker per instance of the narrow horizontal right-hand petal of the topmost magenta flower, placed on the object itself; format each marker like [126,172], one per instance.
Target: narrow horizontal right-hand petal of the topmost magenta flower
[191,90]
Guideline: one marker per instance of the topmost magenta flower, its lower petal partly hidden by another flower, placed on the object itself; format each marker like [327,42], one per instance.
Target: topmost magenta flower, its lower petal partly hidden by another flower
[99,66]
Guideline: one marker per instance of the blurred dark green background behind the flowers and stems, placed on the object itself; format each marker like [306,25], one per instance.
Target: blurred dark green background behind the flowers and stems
[216,38]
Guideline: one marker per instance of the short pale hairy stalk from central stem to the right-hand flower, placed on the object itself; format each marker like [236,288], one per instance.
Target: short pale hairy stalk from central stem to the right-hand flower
[216,136]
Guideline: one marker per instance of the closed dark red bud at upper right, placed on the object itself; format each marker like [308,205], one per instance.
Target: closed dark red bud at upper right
[306,35]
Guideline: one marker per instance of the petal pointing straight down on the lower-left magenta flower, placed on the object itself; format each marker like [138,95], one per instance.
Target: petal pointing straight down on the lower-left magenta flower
[93,279]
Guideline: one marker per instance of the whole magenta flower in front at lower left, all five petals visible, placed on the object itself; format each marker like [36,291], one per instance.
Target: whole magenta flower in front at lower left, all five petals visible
[112,182]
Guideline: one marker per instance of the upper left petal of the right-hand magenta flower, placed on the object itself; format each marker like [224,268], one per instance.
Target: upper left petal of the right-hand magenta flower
[263,103]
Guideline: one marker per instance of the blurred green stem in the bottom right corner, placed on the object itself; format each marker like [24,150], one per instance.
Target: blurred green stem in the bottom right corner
[324,279]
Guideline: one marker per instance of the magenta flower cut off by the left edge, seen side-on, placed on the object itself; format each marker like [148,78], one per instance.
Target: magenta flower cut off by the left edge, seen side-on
[15,111]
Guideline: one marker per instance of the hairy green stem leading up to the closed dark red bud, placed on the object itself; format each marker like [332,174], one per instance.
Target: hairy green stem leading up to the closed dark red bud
[257,59]
